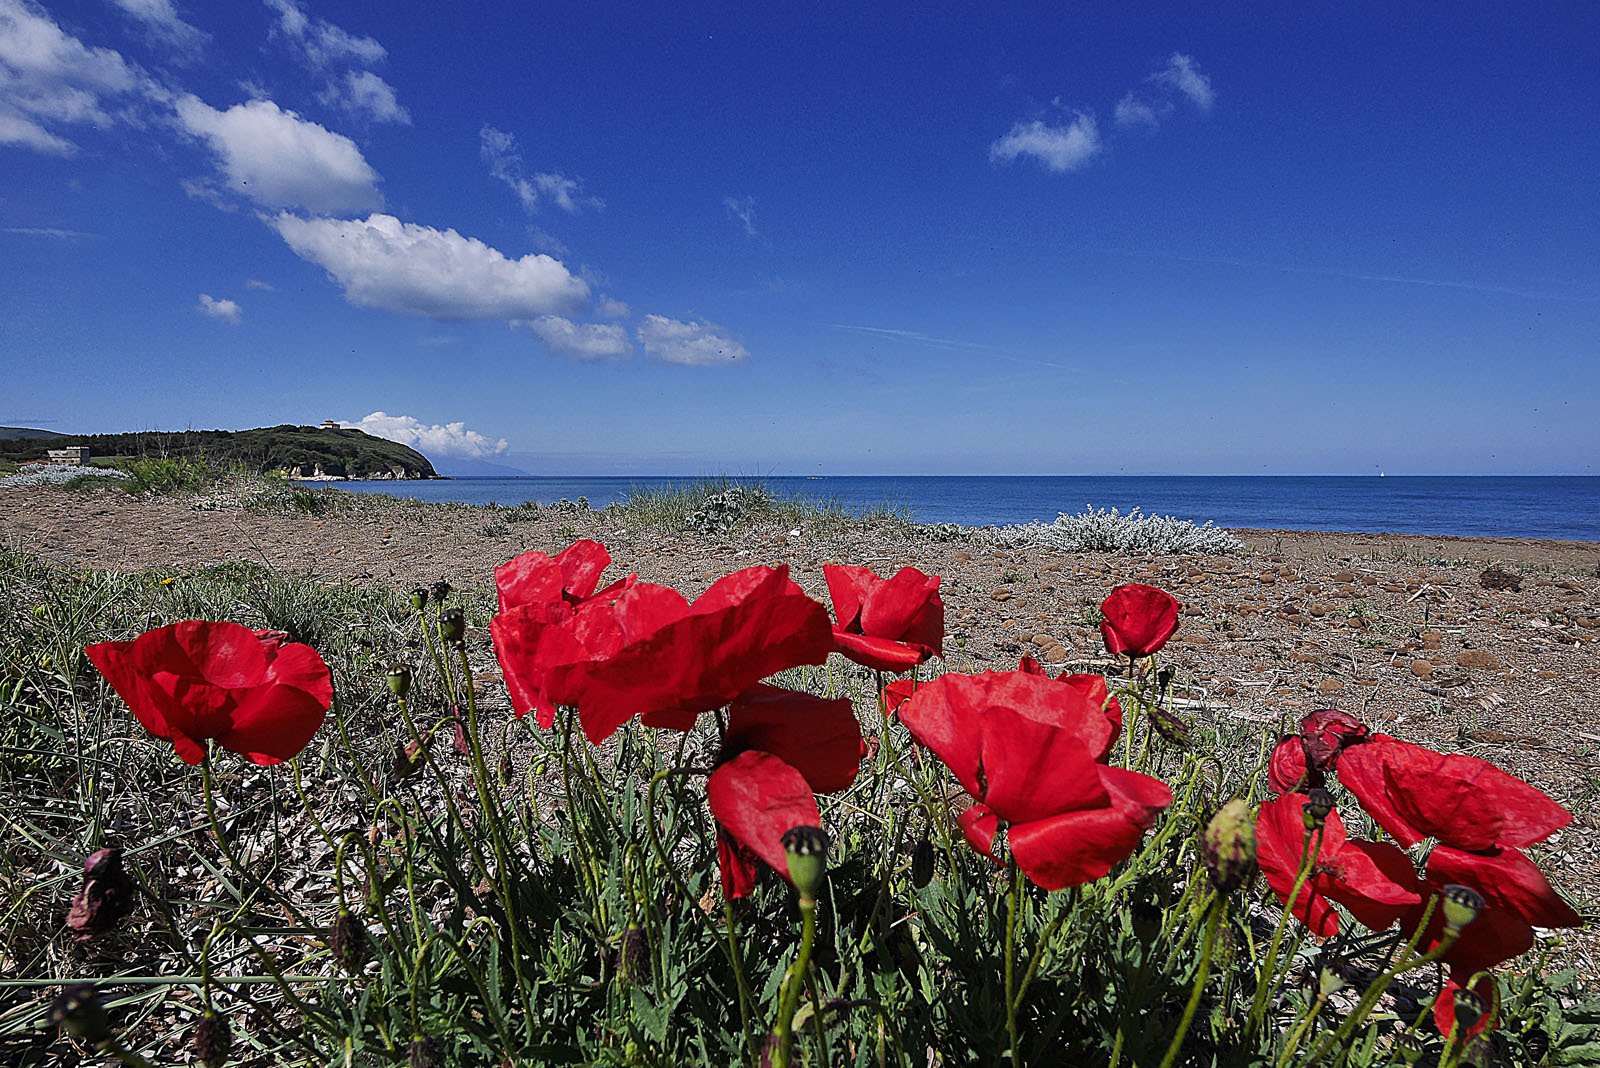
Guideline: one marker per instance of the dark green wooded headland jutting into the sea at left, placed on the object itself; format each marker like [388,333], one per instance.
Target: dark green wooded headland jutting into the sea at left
[302,452]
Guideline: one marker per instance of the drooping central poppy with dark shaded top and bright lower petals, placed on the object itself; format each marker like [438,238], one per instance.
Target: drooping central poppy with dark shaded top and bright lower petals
[780,751]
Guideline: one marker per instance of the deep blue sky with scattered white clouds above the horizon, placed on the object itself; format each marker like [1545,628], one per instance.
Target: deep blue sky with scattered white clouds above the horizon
[702,239]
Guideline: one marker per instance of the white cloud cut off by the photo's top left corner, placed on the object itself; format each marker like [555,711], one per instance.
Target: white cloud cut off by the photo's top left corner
[50,79]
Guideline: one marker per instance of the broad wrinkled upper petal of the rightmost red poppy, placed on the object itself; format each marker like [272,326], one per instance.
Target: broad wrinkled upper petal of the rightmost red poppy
[1463,802]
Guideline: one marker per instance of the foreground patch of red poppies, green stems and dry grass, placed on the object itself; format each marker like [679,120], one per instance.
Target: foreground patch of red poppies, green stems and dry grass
[399,859]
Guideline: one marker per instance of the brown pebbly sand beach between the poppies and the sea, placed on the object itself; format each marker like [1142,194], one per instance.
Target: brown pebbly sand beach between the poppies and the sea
[1404,631]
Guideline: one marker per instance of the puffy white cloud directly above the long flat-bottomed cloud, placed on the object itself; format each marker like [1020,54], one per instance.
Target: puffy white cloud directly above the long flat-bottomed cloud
[281,161]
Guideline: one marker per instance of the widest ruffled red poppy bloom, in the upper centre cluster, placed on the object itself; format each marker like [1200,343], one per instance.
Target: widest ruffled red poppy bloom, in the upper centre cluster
[671,661]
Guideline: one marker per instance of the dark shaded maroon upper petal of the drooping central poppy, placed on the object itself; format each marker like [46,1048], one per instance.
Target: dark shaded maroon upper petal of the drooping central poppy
[818,738]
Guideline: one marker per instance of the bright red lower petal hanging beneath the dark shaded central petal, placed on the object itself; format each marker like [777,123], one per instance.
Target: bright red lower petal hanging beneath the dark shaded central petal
[758,799]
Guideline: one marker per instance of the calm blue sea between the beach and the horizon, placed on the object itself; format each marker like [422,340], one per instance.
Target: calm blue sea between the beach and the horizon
[1420,504]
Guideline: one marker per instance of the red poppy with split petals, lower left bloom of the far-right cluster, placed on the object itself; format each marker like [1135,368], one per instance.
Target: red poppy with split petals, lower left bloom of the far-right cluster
[1374,880]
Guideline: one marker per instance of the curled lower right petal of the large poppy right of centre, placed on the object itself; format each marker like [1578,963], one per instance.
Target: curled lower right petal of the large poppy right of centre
[1082,847]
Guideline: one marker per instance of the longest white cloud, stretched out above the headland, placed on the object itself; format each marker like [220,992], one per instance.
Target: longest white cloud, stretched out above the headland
[385,263]
